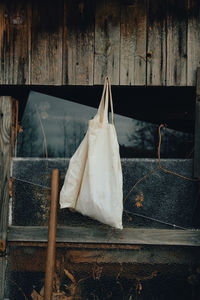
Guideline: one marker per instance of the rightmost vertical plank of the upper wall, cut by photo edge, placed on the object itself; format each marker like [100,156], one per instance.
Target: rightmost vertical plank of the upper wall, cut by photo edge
[193,41]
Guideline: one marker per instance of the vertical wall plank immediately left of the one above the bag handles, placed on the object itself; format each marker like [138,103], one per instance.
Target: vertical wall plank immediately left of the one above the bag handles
[78,42]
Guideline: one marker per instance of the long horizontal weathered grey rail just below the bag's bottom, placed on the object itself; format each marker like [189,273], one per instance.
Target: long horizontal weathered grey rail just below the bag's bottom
[104,235]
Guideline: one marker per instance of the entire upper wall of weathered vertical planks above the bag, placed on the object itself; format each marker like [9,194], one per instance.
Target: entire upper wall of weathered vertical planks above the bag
[78,42]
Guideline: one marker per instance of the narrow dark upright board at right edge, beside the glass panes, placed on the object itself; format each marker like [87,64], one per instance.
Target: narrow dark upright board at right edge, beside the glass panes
[197,129]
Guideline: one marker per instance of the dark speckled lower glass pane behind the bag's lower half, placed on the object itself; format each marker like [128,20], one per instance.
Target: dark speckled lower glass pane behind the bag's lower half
[158,199]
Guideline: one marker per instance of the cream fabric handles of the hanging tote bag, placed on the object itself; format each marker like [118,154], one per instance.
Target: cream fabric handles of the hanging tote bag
[103,106]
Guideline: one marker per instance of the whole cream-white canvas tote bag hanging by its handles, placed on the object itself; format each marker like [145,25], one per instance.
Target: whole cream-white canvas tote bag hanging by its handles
[93,182]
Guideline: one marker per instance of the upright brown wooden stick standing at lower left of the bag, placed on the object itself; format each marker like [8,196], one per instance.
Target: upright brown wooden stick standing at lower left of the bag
[50,260]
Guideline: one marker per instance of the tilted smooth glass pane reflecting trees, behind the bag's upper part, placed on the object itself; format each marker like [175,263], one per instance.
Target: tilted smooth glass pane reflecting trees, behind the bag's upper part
[55,127]
